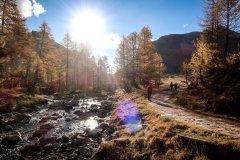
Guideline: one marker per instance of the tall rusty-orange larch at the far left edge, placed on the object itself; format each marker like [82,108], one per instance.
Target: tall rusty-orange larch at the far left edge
[15,44]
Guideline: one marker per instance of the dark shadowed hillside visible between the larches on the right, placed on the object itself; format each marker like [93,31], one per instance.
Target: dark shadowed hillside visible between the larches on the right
[175,48]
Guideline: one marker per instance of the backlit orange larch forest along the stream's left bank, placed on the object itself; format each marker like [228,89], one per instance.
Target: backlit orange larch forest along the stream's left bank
[36,63]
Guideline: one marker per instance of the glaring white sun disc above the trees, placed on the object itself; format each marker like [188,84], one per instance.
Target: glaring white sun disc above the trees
[87,26]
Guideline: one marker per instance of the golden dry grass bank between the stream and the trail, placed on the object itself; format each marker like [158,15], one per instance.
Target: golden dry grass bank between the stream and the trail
[158,138]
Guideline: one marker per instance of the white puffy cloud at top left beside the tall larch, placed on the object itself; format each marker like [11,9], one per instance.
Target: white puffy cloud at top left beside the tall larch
[29,8]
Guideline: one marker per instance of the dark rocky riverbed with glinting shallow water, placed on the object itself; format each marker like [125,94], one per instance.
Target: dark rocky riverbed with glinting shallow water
[66,127]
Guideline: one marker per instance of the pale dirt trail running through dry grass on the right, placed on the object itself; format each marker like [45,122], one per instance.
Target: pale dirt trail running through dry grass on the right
[220,125]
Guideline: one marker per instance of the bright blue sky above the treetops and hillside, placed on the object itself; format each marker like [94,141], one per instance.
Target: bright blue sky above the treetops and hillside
[121,17]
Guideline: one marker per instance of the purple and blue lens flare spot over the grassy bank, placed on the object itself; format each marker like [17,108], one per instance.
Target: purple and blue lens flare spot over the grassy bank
[128,113]
